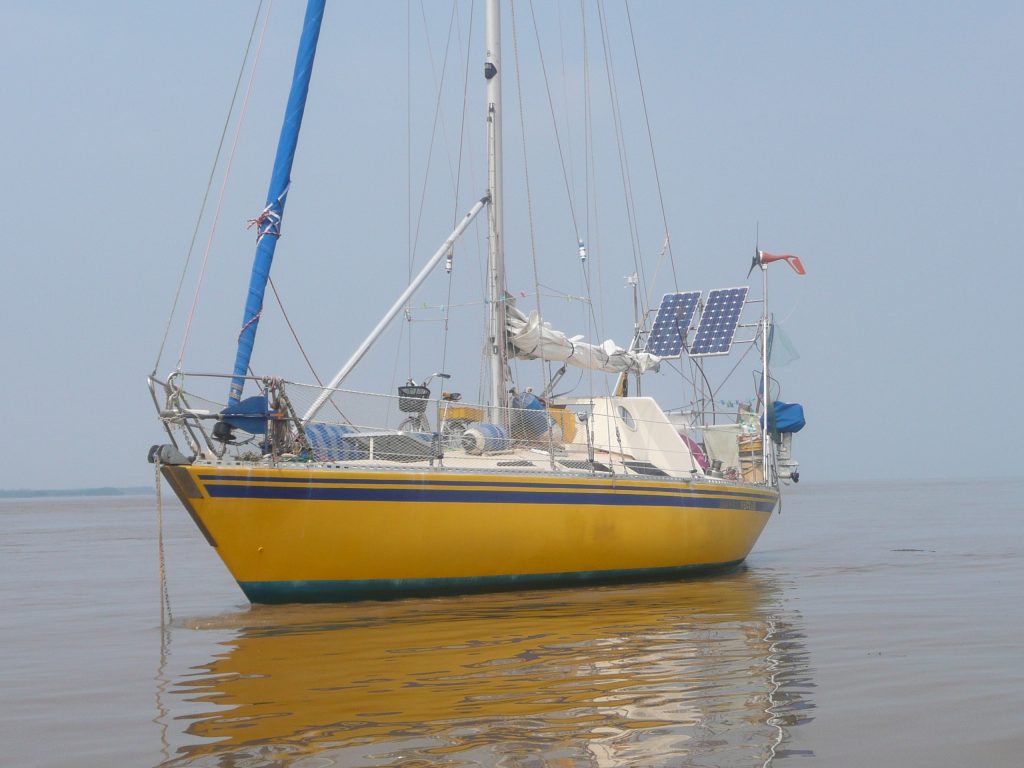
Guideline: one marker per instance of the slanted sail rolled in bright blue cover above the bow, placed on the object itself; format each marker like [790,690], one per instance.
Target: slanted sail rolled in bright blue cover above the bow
[269,223]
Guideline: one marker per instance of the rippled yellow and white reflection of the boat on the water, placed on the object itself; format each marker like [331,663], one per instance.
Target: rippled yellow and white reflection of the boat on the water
[709,672]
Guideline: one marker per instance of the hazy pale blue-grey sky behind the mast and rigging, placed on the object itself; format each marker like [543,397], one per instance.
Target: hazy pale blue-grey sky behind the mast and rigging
[880,142]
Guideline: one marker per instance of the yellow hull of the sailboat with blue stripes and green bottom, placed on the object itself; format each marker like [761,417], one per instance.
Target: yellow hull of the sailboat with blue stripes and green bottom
[322,535]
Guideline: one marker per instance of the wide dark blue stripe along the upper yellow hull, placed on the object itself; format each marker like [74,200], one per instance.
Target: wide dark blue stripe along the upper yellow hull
[420,494]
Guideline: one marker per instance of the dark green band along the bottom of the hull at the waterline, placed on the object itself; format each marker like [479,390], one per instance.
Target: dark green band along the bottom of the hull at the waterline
[391,589]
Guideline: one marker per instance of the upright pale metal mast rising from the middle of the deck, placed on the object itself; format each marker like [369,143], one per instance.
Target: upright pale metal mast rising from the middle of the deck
[497,351]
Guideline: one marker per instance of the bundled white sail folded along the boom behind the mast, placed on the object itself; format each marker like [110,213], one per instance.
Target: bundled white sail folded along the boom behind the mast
[534,338]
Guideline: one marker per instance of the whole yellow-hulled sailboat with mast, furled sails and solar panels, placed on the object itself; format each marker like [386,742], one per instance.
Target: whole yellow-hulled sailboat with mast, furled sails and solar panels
[325,494]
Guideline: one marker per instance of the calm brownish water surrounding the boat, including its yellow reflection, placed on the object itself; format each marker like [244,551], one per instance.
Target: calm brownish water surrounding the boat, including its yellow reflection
[874,625]
